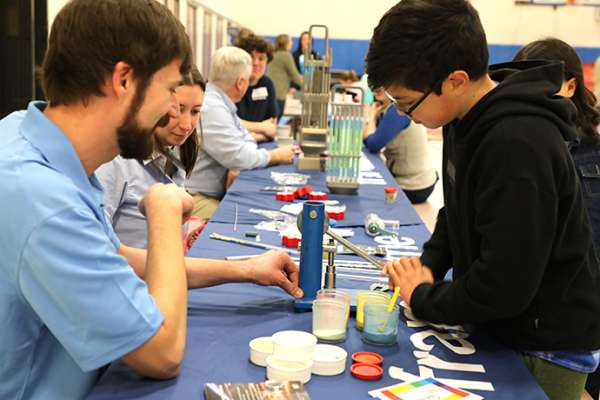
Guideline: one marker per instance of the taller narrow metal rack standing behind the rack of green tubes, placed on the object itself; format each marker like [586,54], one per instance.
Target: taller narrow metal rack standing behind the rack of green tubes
[315,99]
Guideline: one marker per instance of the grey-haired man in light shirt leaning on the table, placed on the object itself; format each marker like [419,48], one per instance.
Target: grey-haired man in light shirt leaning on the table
[225,143]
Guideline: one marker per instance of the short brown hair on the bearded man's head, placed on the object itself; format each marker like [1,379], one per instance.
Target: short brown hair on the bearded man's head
[88,37]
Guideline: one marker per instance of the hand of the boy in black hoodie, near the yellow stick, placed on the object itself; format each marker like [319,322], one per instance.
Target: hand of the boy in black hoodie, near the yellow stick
[407,273]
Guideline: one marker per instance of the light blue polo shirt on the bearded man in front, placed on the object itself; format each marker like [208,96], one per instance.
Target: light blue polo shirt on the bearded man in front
[69,304]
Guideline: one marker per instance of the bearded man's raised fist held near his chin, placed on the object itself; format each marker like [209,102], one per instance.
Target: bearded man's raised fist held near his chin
[166,196]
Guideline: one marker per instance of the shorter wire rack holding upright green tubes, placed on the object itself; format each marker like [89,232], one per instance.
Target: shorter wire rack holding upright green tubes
[344,143]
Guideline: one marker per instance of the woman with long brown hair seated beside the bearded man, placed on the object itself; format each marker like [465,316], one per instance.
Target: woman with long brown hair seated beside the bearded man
[175,150]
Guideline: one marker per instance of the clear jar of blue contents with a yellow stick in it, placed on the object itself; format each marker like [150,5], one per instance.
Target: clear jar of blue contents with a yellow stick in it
[381,326]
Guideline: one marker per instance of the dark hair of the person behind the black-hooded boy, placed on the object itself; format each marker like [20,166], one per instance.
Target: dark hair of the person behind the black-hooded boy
[588,118]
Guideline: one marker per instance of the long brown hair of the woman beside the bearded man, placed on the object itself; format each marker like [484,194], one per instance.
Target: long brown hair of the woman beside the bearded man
[188,151]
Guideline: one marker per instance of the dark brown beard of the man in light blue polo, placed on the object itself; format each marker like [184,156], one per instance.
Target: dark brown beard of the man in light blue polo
[135,141]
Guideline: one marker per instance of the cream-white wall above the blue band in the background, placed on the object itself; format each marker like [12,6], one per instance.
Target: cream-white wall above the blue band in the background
[504,22]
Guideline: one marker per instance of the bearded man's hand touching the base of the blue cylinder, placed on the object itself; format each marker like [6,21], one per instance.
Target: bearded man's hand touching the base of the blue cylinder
[275,268]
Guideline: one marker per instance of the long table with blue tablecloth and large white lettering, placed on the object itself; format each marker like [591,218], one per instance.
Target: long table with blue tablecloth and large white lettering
[222,320]
